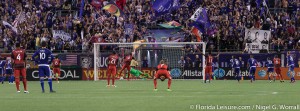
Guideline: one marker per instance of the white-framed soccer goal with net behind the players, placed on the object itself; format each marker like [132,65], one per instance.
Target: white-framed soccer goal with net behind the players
[148,56]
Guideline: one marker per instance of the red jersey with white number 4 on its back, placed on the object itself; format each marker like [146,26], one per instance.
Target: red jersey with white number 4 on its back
[19,57]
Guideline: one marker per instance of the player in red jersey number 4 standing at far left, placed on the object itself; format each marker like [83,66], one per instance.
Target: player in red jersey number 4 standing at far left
[19,60]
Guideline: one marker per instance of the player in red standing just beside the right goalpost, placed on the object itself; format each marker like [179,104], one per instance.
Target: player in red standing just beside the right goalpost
[208,67]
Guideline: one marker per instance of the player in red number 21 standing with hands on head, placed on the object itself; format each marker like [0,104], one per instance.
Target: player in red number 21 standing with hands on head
[112,68]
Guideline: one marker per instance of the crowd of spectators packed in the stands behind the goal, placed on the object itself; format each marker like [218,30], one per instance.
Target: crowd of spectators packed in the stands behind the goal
[229,18]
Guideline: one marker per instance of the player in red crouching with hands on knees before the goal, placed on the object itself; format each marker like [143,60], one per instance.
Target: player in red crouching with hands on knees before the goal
[162,73]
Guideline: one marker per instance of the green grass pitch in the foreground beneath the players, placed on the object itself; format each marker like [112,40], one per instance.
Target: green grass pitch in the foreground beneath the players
[138,95]
